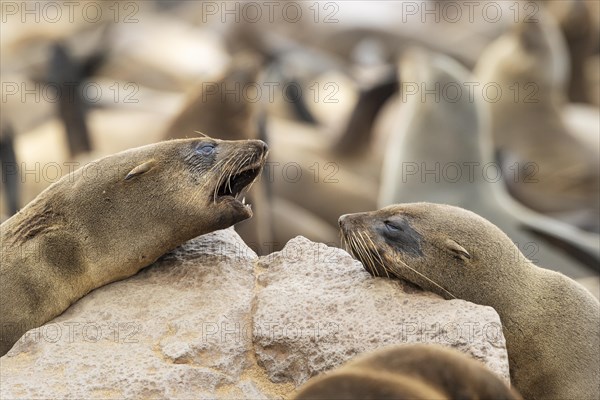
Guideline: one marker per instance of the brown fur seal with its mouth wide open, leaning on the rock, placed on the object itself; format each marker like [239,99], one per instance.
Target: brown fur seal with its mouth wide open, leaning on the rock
[111,218]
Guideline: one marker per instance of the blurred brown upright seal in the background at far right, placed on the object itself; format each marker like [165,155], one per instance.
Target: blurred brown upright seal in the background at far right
[562,174]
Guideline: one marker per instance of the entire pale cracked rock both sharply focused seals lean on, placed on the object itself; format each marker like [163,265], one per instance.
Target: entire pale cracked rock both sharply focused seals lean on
[212,320]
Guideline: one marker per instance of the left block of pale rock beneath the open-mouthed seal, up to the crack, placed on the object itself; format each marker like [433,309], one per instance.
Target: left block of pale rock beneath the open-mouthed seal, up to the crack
[178,329]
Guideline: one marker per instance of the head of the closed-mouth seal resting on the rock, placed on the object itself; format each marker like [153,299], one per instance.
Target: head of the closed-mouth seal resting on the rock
[402,240]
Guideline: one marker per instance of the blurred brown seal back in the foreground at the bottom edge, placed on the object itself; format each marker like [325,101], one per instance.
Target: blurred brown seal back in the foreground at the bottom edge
[416,371]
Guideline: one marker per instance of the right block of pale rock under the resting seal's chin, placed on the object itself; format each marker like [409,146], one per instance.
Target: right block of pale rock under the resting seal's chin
[318,308]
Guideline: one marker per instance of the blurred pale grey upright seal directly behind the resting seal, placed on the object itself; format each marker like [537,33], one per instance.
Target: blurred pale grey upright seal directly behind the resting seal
[453,136]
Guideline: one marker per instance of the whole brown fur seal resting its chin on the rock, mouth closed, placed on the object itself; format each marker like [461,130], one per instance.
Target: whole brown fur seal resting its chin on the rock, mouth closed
[551,323]
